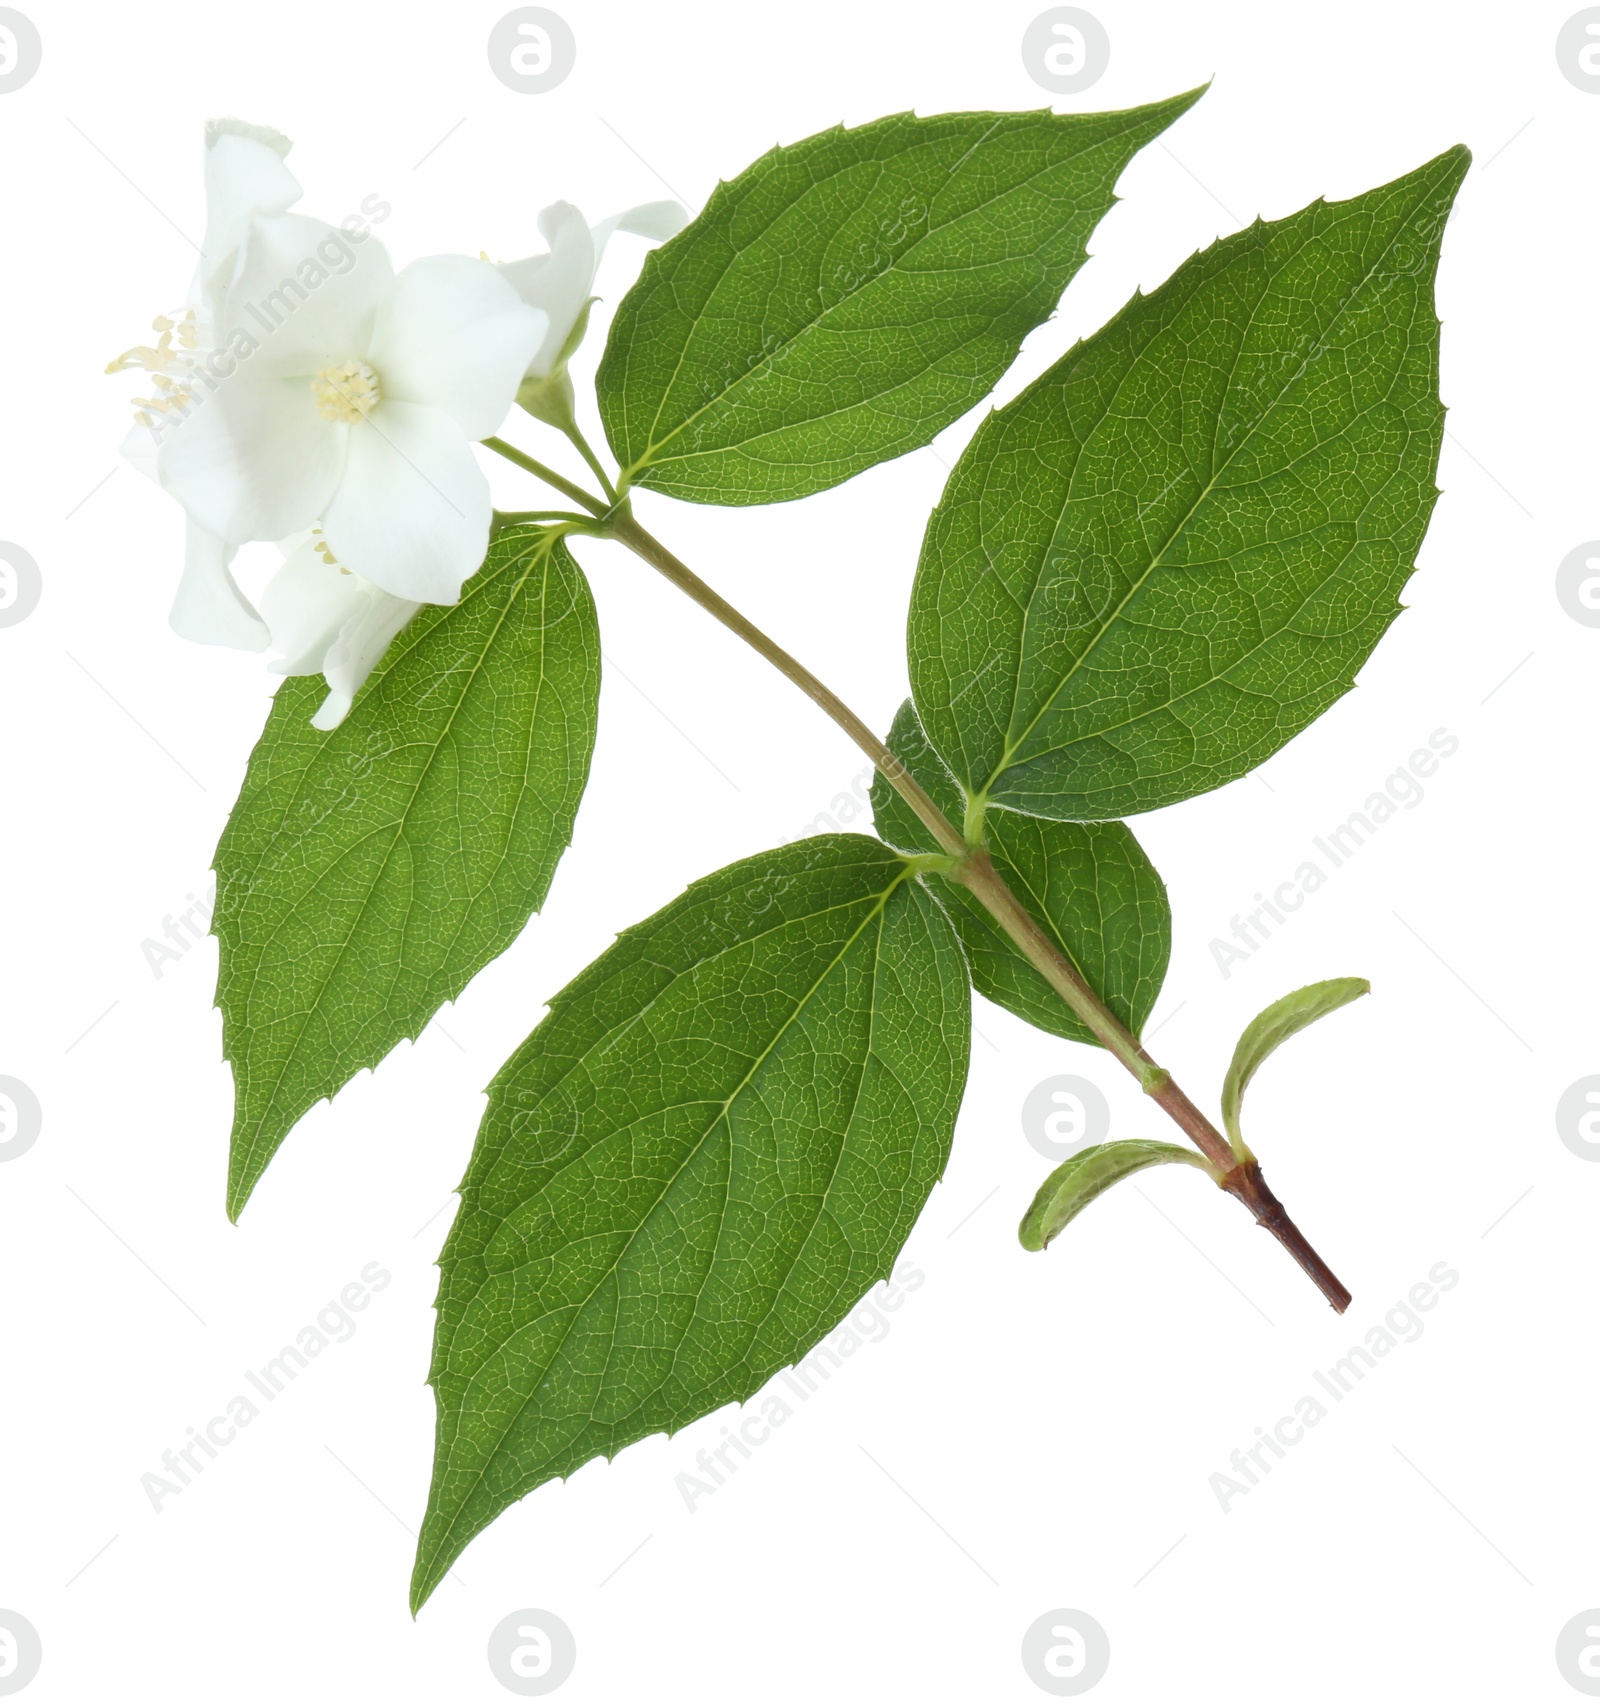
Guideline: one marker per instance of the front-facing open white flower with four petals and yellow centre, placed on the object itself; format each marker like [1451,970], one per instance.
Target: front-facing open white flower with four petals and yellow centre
[352,396]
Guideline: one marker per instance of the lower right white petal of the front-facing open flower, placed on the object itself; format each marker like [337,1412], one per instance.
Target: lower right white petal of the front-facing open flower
[413,509]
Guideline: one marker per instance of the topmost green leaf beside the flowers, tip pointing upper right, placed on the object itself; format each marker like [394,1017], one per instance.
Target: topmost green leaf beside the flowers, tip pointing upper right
[848,297]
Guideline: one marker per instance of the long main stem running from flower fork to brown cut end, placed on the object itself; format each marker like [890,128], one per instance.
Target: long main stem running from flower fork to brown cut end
[976,872]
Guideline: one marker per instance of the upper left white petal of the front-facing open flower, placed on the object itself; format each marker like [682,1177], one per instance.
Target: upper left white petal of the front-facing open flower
[304,294]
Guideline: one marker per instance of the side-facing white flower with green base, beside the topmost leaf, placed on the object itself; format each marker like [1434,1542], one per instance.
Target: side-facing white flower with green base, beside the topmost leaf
[561,284]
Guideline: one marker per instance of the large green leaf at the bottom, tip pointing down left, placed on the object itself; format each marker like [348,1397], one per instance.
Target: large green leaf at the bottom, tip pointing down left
[693,1170]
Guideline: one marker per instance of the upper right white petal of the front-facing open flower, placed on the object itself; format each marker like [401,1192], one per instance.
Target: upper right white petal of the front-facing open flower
[456,337]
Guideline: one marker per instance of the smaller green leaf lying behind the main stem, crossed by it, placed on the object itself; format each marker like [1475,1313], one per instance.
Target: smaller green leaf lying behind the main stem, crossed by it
[1088,885]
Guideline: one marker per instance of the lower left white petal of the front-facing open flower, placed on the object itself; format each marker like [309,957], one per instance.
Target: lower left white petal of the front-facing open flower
[255,459]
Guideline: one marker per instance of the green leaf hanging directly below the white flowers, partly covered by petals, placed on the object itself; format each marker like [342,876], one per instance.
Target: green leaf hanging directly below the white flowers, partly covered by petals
[369,873]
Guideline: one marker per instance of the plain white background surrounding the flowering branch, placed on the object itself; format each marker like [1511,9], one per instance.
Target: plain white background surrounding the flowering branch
[1037,1432]
